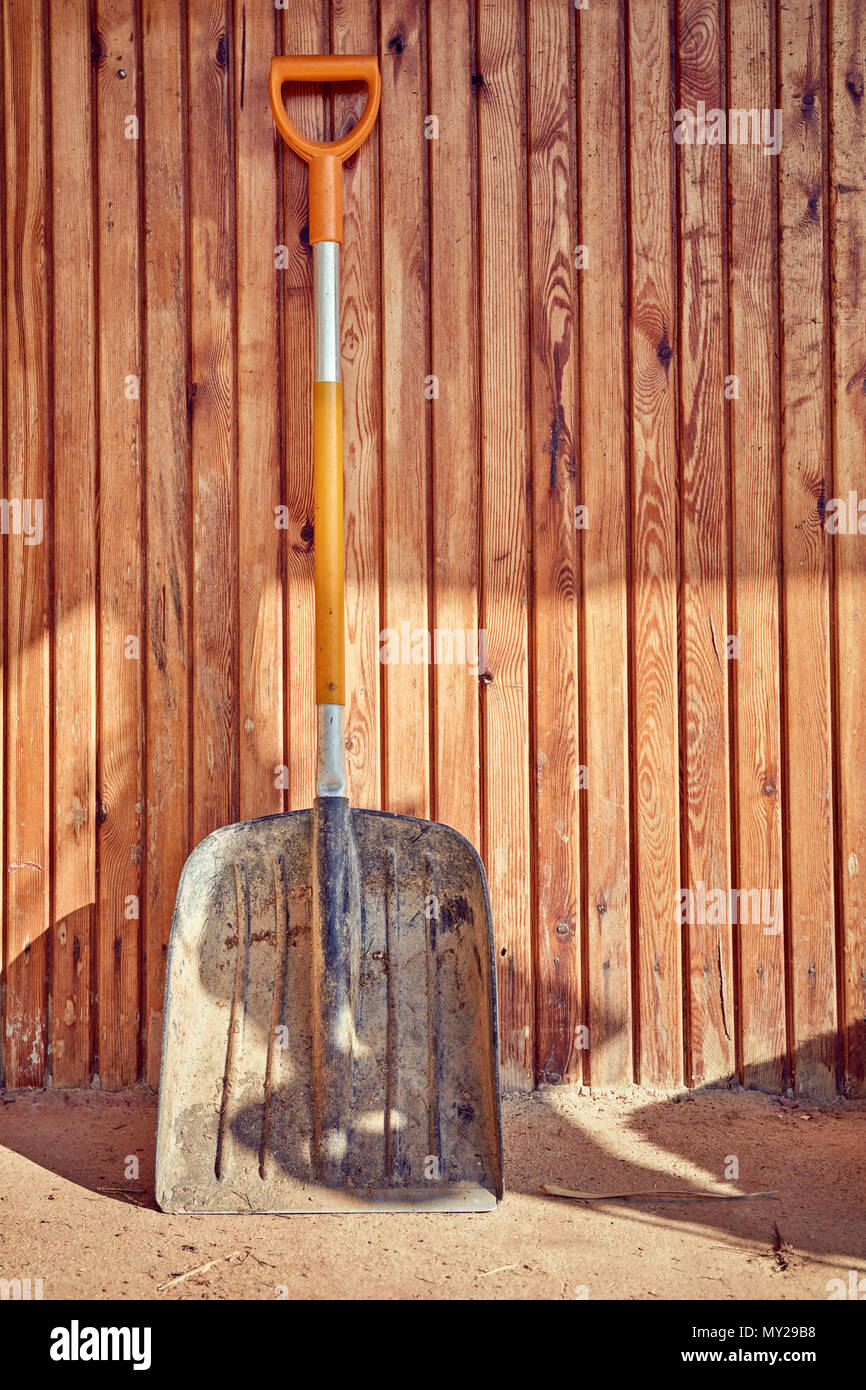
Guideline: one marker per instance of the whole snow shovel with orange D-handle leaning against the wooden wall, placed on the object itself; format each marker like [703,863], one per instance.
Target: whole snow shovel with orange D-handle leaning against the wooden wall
[330,1032]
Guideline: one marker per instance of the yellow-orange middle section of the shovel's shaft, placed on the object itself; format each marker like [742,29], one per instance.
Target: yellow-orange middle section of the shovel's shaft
[329,541]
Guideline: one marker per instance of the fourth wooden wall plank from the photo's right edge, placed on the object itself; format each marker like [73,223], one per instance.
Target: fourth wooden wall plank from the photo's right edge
[711,1043]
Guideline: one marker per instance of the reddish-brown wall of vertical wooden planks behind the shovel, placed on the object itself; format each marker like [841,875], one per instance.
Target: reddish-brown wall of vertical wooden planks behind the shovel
[583,290]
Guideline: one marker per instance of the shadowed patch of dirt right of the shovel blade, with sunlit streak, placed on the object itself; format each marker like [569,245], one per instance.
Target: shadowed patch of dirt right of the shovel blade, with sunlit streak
[801,1153]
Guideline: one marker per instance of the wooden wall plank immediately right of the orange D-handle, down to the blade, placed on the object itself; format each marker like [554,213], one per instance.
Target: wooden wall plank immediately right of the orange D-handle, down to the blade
[405,366]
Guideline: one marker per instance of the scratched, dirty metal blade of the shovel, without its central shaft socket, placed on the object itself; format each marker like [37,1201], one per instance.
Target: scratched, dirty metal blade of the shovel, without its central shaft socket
[237,1106]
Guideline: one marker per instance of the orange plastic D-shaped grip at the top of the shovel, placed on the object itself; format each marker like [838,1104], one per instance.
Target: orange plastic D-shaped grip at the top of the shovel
[326,158]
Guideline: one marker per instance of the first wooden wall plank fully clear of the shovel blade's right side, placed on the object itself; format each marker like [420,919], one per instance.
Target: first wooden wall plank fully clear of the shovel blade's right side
[555,496]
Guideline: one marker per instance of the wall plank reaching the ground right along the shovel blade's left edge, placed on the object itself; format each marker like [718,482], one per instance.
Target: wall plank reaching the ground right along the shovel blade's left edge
[169,651]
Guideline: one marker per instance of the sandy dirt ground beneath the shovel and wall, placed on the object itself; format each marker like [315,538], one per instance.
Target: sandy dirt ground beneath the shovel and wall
[74,1214]
